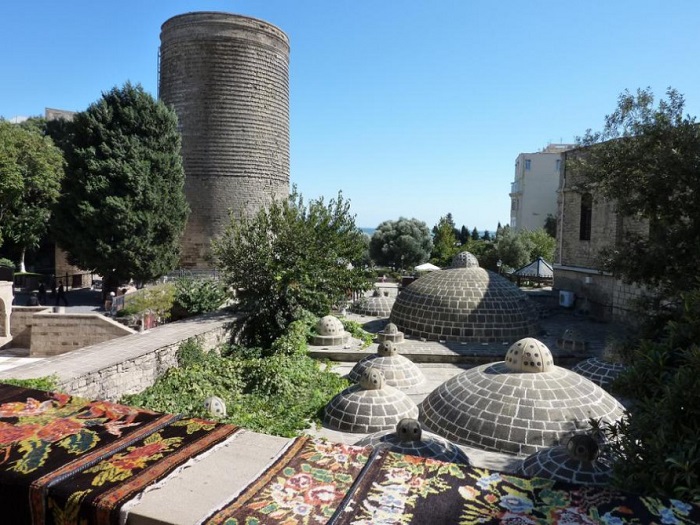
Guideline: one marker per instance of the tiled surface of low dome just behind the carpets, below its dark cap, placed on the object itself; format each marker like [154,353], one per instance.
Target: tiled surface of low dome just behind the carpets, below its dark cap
[429,446]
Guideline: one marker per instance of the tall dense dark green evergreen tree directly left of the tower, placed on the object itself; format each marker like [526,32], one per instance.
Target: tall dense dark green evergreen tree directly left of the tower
[123,209]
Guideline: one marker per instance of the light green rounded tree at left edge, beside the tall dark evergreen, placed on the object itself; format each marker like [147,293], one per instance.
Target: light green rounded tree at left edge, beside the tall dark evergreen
[31,169]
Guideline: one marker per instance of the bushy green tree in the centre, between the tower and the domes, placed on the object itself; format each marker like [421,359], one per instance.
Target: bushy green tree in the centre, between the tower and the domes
[289,259]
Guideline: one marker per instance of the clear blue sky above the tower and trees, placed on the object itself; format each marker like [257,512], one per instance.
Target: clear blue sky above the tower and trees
[411,108]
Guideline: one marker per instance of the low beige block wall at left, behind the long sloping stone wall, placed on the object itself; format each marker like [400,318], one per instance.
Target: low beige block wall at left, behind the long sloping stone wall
[54,334]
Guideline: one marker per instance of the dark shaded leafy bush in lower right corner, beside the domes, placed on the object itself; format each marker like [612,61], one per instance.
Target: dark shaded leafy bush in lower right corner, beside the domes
[656,445]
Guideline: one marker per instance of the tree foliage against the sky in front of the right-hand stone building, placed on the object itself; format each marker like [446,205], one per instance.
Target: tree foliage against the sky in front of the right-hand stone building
[646,160]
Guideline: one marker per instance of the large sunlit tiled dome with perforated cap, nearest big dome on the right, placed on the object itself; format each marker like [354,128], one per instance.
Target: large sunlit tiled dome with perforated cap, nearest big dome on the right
[516,406]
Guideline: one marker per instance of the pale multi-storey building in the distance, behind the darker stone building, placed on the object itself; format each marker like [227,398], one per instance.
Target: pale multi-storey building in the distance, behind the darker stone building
[533,192]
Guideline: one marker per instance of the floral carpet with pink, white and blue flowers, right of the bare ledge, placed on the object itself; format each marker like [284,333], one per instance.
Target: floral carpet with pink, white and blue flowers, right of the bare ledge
[314,482]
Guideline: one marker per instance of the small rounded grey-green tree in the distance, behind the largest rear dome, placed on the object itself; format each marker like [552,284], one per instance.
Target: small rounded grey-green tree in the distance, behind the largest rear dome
[401,244]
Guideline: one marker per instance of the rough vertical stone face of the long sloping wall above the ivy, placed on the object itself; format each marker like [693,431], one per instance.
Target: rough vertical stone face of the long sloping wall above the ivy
[135,374]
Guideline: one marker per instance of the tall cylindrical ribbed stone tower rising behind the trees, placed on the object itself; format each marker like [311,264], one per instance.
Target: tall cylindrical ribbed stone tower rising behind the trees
[227,76]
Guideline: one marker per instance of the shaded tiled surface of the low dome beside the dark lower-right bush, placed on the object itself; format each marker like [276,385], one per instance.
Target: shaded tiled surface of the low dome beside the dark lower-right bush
[556,463]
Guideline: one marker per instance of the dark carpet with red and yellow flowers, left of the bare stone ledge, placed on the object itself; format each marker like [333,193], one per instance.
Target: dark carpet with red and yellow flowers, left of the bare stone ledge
[66,460]
